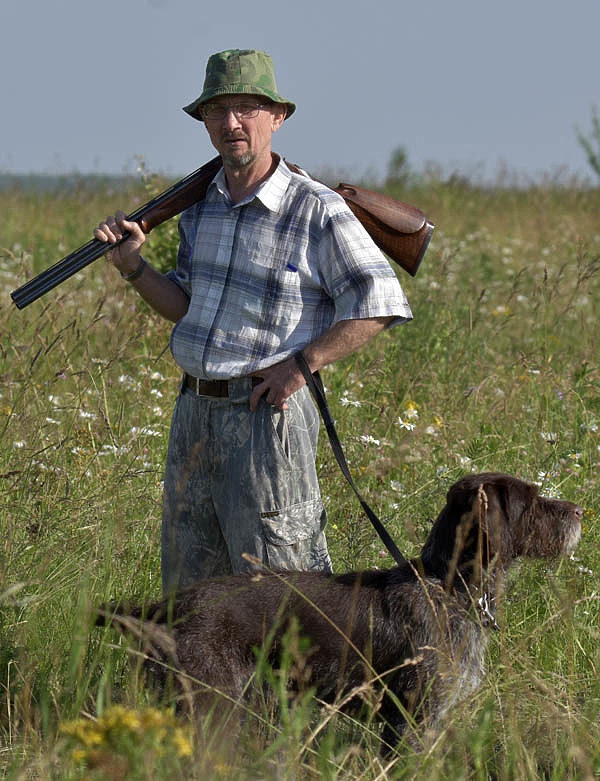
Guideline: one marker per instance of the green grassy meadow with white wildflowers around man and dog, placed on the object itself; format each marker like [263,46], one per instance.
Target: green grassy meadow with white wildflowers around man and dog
[498,371]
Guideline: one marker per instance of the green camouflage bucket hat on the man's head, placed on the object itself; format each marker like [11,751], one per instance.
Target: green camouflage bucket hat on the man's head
[239,72]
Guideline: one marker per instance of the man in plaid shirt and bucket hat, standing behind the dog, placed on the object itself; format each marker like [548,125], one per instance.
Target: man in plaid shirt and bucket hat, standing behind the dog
[270,263]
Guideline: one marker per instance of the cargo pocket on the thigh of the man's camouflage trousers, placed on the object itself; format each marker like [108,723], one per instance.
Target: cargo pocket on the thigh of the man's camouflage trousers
[290,534]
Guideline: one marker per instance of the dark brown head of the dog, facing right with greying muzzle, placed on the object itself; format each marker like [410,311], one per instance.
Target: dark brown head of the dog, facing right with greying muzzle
[491,519]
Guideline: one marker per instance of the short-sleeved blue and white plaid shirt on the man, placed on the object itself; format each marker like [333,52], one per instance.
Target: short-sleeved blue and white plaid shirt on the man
[270,274]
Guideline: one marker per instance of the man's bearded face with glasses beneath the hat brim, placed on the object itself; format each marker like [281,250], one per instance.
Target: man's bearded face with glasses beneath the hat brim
[238,136]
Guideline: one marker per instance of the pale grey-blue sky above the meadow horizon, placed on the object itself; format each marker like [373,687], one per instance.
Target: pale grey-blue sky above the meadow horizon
[87,85]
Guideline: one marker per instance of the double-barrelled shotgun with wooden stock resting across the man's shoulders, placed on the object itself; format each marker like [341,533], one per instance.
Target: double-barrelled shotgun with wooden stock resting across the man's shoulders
[401,231]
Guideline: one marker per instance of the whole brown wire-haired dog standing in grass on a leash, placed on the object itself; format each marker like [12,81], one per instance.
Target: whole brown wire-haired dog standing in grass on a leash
[417,633]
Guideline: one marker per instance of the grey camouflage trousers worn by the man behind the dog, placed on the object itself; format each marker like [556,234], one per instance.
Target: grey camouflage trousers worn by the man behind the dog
[241,482]
